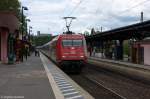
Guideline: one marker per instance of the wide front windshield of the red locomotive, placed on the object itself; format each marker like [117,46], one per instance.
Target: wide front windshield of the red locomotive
[72,42]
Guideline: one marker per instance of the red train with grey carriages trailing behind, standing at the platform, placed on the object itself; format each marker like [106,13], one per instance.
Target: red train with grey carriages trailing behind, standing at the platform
[68,50]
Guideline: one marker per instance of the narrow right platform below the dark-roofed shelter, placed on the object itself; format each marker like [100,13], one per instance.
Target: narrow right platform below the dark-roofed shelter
[135,71]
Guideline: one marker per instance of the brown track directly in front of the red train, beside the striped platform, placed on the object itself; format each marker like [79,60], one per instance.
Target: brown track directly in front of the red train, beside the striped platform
[97,91]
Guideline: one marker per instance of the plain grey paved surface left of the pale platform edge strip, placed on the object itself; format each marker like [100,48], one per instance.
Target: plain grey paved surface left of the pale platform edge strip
[25,80]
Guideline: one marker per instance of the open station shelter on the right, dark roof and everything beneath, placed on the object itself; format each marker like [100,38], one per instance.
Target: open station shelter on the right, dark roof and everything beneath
[128,43]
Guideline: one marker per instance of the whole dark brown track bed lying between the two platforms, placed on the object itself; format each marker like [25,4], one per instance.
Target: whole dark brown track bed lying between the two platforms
[103,84]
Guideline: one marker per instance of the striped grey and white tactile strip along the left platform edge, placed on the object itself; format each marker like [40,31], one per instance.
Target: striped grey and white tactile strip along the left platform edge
[68,91]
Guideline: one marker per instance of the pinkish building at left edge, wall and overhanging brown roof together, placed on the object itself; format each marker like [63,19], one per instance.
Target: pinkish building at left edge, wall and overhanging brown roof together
[8,24]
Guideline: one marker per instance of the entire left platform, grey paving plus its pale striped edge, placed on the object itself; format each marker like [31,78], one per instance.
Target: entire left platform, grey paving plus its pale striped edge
[37,78]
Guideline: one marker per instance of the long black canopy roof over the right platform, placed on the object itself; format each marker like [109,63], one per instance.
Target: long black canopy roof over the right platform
[136,31]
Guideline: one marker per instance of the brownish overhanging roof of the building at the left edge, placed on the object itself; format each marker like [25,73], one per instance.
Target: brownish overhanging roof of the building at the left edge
[9,20]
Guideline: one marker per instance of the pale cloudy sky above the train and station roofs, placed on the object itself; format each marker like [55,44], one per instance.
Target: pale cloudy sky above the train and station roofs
[46,15]
